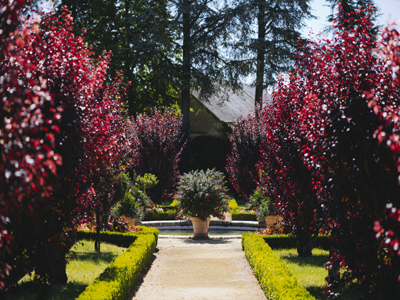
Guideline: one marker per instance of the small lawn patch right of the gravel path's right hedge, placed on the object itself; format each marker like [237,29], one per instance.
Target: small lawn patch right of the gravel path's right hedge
[310,271]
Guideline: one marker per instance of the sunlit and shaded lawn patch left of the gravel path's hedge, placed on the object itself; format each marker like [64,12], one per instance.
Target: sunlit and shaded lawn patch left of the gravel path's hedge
[84,266]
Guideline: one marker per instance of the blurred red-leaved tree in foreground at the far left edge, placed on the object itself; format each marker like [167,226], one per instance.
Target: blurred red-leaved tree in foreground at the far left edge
[26,132]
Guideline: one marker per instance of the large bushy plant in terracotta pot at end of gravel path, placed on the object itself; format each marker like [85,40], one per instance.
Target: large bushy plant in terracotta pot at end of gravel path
[201,195]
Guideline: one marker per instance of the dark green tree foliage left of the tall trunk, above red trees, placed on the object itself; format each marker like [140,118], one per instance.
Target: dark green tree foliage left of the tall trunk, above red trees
[140,36]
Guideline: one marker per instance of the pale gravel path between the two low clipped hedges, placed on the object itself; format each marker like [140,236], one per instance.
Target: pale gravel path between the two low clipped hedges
[199,269]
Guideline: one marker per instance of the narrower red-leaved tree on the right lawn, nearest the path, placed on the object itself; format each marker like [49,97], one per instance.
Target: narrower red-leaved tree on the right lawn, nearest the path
[286,180]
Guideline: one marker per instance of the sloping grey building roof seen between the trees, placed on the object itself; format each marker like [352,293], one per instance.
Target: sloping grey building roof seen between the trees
[237,104]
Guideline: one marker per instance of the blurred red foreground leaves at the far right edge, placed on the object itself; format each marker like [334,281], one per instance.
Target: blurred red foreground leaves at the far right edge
[384,101]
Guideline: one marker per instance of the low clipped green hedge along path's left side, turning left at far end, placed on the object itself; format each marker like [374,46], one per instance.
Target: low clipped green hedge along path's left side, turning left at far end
[119,278]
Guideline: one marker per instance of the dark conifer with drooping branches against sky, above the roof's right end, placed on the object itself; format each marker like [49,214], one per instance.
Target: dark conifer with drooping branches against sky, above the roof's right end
[268,36]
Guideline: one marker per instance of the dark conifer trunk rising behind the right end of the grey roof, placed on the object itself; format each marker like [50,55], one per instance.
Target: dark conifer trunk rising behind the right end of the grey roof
[260,53]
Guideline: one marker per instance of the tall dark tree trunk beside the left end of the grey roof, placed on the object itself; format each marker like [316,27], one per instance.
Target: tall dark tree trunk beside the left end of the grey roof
[186,80]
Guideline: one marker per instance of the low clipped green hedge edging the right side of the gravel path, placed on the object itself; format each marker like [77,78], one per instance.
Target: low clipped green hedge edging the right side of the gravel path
[276,280]
